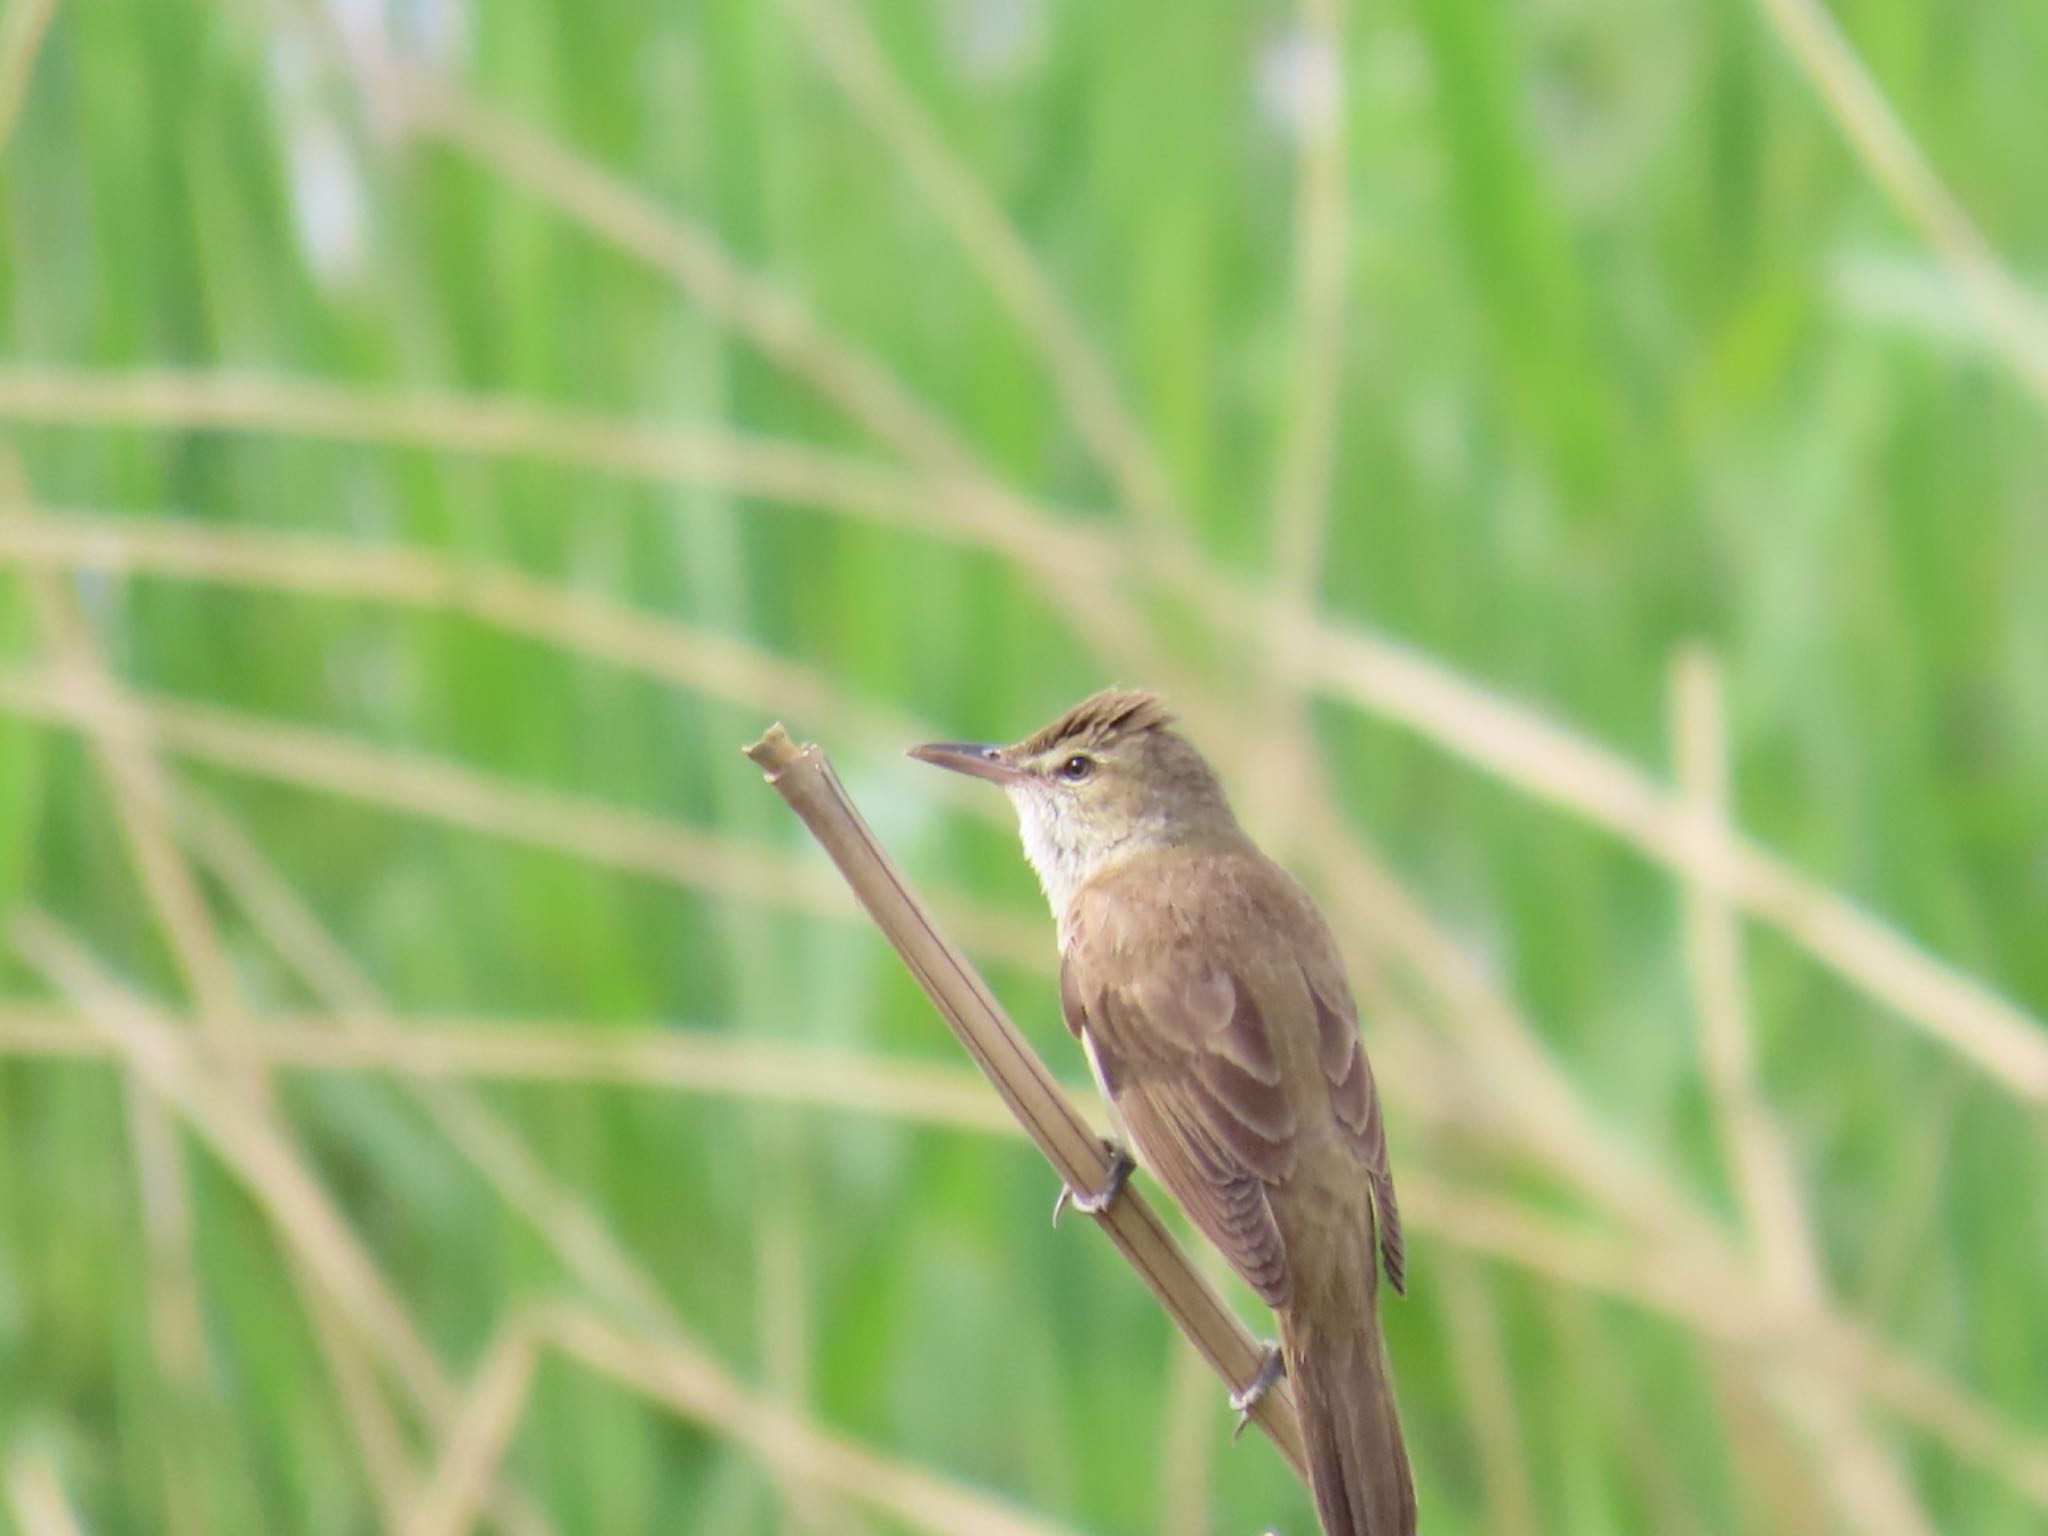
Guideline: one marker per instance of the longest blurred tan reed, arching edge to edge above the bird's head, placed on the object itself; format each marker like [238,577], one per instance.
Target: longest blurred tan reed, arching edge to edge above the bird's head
[1371,673]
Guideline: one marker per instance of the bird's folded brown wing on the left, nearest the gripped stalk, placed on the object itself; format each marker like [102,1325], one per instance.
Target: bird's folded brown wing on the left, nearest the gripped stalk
[1191,1066]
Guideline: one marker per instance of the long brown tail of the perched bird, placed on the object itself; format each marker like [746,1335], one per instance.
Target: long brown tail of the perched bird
[1357,1461]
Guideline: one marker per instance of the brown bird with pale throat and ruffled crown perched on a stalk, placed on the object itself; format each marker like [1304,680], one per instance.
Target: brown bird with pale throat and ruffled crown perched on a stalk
[1211,1000]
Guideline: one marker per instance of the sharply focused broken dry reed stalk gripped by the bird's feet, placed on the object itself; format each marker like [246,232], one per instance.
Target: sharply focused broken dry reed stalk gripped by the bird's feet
[1031,1093]
